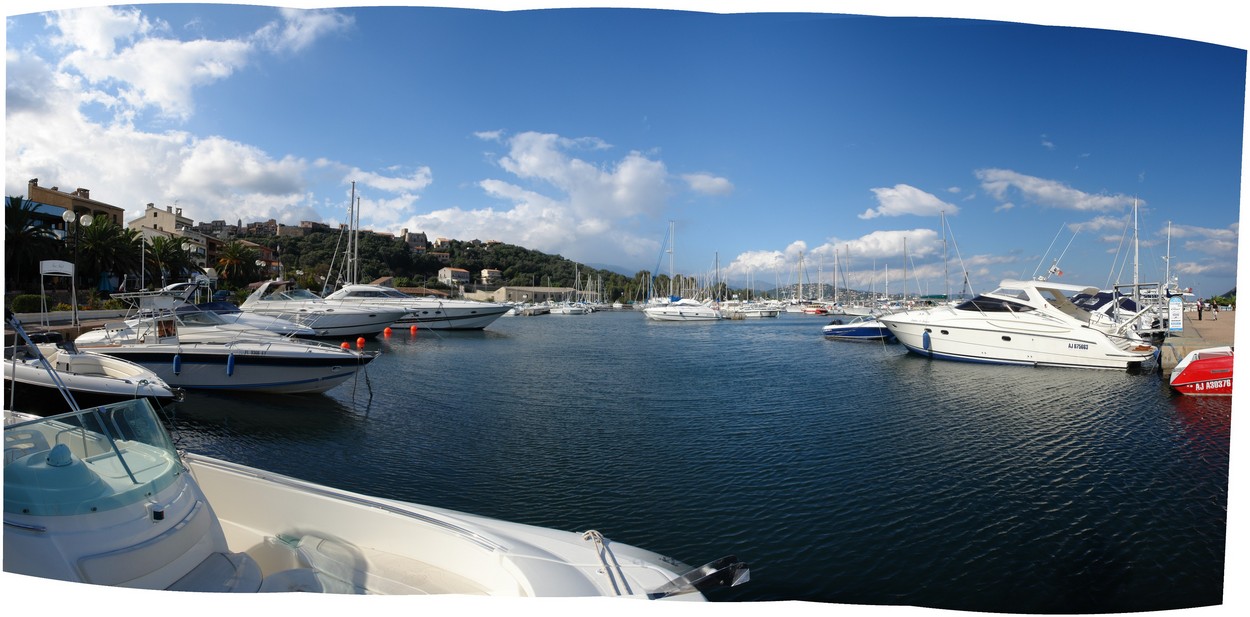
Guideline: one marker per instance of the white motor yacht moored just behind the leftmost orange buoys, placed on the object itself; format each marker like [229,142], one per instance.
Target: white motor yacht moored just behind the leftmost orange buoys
[327,318]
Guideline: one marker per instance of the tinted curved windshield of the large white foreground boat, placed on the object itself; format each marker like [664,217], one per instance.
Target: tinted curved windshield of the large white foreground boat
[87,462]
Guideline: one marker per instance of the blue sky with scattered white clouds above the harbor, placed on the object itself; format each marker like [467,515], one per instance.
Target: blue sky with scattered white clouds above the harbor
[584,132]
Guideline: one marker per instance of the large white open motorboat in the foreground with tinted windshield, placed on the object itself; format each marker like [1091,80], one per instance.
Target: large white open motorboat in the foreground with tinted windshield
[101,496]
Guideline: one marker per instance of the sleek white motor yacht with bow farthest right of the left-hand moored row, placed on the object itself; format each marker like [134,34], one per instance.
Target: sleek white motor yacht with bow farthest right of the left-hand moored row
[423,313]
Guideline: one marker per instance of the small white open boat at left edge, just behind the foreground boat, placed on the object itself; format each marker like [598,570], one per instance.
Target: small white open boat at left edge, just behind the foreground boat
[32,373]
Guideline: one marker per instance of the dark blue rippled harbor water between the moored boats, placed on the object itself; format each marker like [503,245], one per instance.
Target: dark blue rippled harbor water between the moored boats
[843,473]
